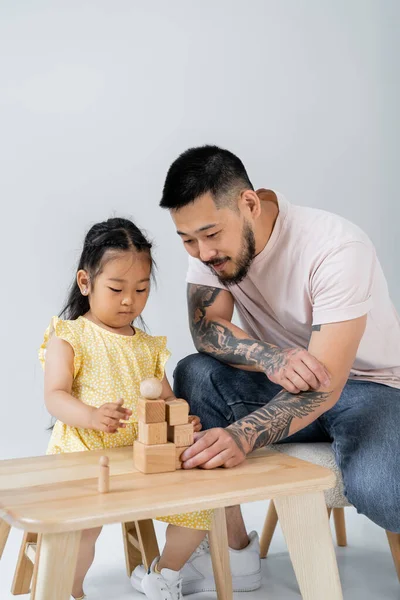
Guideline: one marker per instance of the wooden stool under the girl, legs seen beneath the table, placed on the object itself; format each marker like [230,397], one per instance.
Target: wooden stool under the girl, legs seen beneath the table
[140,544]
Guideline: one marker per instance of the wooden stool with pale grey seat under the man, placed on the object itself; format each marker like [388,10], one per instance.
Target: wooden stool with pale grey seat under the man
[322,454]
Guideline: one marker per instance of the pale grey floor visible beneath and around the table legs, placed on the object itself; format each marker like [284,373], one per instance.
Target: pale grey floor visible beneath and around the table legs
[365,566]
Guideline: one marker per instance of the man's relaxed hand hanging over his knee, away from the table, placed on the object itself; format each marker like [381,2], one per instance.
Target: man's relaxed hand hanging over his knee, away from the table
[296,370]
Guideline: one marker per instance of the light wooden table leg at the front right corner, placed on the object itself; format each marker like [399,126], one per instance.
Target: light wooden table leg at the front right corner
[308,536]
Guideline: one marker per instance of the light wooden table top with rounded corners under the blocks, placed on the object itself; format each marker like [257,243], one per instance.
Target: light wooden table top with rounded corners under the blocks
[51,494]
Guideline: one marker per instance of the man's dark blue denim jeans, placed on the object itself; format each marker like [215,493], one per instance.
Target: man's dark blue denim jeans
[363,427]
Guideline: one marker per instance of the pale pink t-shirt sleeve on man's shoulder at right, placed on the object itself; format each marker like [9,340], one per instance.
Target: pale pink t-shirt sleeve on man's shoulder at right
[341,285]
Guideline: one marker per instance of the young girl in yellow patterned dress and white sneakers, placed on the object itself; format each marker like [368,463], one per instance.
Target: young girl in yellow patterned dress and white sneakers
[95,358]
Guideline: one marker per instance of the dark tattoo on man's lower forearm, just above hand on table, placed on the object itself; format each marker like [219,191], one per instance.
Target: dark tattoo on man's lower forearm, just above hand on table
[272,422]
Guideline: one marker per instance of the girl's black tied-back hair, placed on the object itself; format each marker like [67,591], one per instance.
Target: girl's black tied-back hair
[113,234]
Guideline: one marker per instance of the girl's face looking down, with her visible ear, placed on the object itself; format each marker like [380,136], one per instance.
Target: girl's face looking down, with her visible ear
[119,293]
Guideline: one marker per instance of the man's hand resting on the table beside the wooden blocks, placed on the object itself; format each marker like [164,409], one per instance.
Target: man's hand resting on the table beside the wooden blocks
[215,448]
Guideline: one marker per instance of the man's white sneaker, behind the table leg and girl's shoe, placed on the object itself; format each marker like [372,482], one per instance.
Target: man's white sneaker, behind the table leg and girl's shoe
[197,574]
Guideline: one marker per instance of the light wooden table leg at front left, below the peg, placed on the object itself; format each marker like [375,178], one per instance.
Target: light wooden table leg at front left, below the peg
[58,556]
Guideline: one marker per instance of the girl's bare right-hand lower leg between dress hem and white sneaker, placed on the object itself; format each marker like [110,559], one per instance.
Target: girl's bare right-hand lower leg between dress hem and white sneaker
[180,544]
